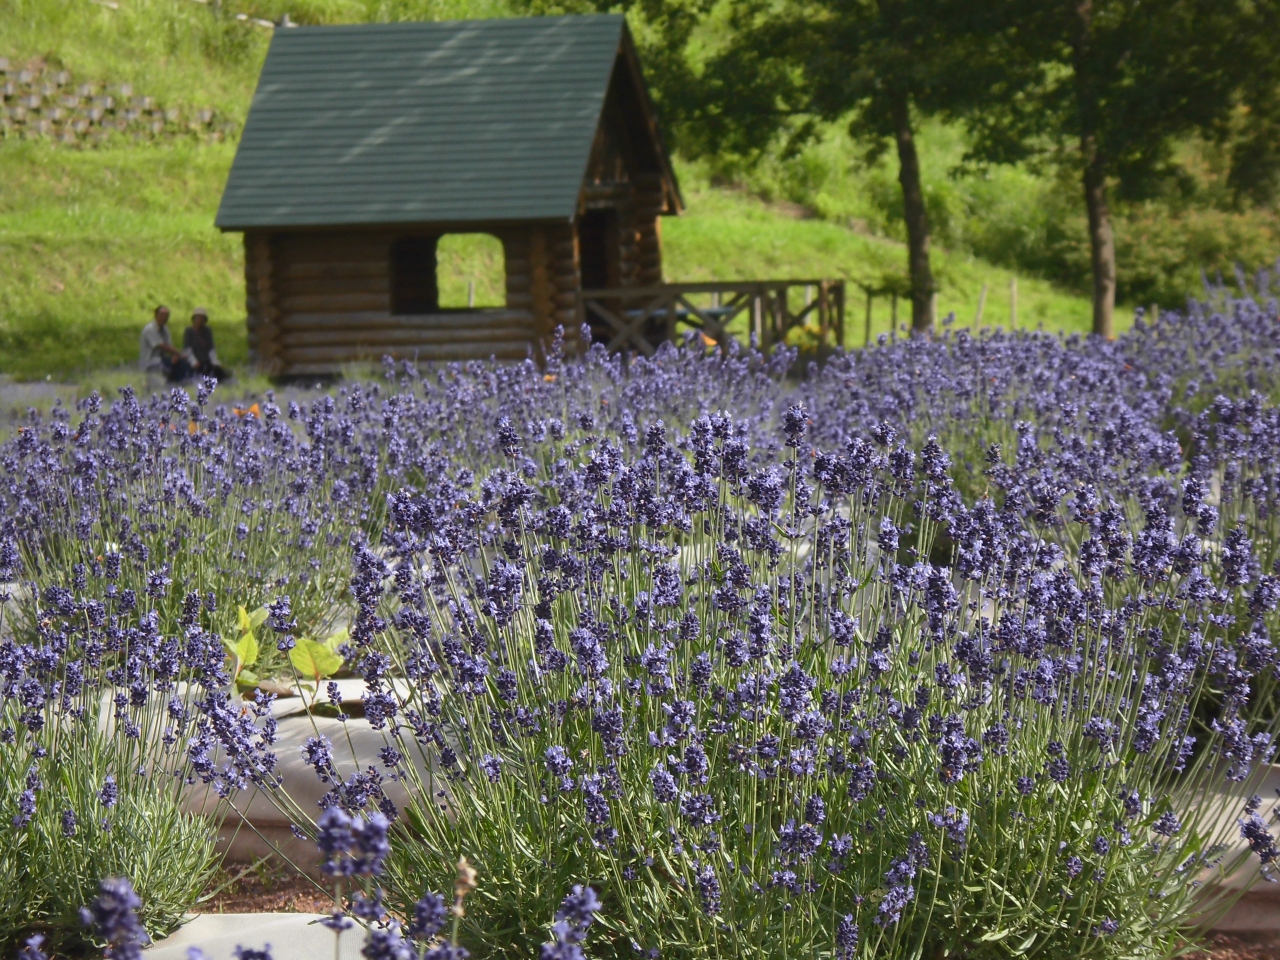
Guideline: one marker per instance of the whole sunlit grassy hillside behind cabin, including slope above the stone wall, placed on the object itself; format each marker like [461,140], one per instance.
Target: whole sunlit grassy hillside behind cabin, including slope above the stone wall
[93,239]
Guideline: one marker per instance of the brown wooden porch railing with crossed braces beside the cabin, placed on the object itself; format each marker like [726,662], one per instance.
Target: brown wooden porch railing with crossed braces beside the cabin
[641,318]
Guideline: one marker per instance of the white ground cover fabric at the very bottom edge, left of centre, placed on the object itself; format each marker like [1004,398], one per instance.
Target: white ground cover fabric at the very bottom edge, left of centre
[292,938]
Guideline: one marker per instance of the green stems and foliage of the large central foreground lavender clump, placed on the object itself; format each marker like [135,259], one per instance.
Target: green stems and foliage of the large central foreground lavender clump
[1007,889]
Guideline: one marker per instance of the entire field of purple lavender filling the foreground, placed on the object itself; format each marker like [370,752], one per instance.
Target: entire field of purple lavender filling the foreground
[950,648]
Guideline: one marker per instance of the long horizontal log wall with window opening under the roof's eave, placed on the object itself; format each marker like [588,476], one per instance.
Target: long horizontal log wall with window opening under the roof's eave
[321,300]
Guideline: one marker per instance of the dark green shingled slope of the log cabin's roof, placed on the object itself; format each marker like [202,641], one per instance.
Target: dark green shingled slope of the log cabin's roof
[454,122]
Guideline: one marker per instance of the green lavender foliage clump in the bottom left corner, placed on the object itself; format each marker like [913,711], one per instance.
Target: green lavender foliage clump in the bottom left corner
[144,829]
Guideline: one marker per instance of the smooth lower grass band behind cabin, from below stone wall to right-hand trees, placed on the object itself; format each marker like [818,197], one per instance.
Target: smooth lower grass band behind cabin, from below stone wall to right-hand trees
[93,240]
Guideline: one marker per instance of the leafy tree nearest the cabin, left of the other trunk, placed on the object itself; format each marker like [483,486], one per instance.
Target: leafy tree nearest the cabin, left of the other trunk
[883,65]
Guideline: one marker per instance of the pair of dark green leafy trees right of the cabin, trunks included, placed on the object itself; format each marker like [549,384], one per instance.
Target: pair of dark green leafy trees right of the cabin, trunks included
[1103,90]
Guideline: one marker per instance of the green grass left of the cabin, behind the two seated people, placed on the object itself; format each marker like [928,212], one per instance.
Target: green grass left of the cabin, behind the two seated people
[94,240]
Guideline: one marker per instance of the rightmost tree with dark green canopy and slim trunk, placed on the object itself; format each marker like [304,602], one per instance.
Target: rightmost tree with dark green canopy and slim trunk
[1118,85]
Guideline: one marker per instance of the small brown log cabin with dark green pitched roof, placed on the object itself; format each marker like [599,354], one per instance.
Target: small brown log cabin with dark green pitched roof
[368,144]
